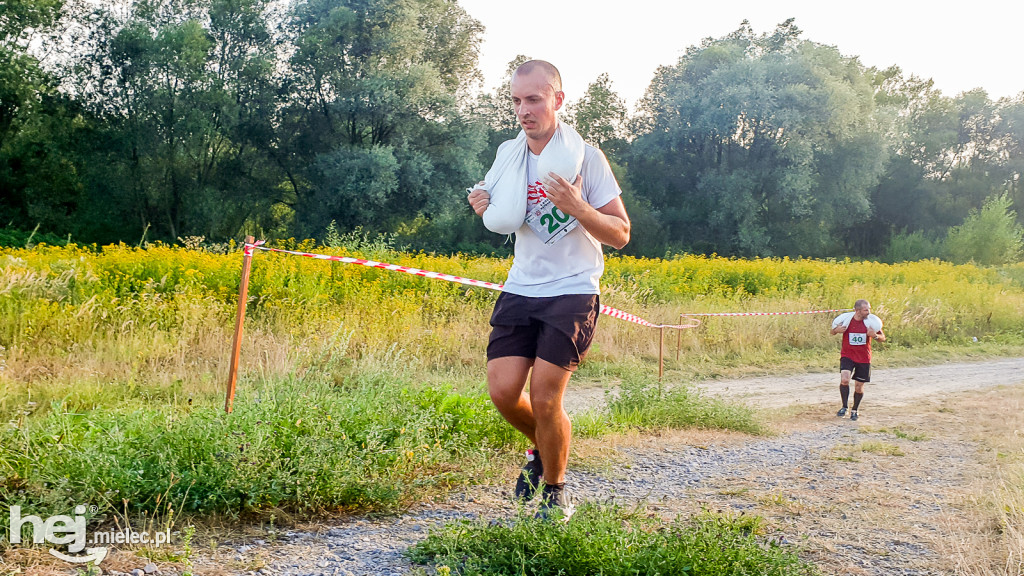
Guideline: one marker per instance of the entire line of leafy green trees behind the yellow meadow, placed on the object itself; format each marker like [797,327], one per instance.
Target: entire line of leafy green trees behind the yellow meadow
[175,119]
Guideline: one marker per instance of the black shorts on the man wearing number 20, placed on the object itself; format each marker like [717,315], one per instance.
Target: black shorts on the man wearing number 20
[557,330]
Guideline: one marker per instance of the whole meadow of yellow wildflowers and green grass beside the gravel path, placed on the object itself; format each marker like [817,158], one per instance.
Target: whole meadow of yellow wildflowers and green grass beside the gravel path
[364,389]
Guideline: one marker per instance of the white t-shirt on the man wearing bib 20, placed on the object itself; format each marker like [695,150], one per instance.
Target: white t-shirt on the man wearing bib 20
[575,264]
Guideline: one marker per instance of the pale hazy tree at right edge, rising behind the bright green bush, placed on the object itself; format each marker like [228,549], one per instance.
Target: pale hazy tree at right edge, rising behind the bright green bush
[950,154]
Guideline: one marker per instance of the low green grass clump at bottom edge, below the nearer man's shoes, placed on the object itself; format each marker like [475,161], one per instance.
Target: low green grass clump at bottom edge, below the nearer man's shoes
[611,543]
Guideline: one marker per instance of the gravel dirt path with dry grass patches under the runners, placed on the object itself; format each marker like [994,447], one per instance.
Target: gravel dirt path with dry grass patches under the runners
[852,510]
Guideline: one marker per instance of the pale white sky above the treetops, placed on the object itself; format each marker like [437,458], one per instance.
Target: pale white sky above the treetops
[960,46]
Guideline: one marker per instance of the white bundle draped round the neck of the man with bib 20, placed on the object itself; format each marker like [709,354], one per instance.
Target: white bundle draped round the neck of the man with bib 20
[506,181]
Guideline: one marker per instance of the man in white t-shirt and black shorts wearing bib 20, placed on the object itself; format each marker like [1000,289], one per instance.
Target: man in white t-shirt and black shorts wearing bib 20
[544,321]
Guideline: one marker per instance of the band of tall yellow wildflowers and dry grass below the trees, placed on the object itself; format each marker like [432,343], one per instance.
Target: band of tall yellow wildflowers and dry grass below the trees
[160,319]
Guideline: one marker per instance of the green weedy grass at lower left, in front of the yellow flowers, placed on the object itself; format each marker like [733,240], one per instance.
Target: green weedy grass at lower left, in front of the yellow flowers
[306,445]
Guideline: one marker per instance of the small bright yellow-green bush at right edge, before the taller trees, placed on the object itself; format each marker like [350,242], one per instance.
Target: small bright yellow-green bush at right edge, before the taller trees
[990,237]
